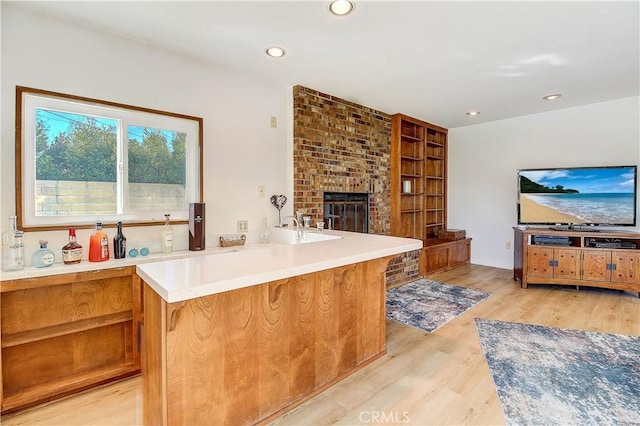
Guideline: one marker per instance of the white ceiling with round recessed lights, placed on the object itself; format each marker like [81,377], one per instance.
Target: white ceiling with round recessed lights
[434,60]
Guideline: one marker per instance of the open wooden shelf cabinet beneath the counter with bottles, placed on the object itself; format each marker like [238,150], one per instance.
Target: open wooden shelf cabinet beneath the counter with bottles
[65,333]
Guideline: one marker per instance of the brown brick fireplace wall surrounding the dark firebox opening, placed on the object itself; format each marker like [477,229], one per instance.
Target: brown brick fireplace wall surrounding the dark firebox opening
[342,147]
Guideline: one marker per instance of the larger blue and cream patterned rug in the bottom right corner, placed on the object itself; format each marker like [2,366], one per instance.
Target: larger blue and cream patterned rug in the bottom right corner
[546,375]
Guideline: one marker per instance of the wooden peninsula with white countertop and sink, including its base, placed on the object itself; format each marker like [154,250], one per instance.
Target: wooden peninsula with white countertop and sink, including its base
[242,336]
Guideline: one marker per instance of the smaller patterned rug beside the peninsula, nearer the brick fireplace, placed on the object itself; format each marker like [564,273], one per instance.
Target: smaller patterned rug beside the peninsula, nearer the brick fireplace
[427,304]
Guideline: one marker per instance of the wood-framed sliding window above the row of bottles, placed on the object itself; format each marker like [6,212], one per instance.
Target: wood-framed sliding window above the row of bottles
[84,160]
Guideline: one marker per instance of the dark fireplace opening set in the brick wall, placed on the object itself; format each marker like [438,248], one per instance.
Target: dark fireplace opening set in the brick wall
[346,211]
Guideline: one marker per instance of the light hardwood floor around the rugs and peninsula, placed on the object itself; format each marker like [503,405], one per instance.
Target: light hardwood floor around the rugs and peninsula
[437,378]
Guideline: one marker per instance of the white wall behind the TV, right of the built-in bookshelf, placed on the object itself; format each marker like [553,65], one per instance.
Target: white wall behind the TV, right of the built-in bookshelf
[483,160]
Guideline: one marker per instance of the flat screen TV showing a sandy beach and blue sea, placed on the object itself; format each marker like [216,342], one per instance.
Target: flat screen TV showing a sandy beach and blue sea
[578,196]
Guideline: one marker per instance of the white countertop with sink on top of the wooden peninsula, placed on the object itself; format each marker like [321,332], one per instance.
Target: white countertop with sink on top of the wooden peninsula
[196,276]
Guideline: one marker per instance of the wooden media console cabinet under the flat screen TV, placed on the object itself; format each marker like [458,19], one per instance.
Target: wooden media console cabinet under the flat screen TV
[606,259]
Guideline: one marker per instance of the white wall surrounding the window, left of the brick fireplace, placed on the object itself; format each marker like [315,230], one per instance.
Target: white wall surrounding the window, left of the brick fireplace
[241,150]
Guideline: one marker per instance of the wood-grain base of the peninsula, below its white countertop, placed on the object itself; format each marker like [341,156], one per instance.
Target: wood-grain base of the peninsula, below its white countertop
[247,355]
